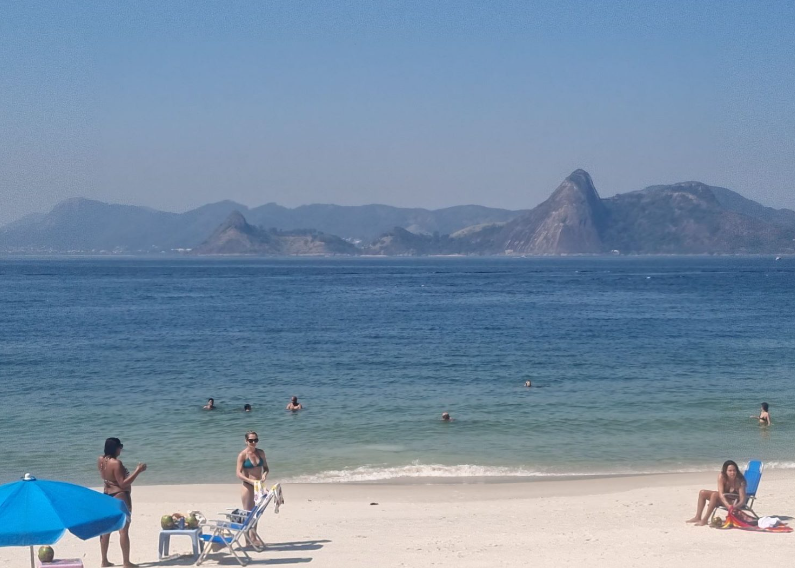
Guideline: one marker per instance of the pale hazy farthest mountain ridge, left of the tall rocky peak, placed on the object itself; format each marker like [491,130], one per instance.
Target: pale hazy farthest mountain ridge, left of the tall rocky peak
[87,225]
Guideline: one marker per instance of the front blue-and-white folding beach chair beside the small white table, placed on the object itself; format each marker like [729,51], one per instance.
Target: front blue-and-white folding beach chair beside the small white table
[228,535]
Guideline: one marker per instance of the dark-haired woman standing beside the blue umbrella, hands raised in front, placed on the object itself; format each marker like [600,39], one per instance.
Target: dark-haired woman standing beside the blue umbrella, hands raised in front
[118,483]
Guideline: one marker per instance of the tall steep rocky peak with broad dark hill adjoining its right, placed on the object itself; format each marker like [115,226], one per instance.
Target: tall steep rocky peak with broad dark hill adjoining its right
[684,218]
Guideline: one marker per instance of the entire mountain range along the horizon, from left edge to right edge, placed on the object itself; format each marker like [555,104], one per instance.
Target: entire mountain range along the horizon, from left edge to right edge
[682,218]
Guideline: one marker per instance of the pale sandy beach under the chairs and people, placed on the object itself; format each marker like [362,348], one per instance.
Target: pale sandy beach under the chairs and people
[618,521]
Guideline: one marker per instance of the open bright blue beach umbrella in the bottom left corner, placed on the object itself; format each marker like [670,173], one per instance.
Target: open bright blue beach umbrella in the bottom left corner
[36,512]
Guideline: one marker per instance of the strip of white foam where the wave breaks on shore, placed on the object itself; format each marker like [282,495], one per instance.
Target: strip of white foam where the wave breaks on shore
[370,473]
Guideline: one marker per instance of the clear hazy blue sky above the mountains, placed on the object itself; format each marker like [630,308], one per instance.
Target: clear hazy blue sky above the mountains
[174,104]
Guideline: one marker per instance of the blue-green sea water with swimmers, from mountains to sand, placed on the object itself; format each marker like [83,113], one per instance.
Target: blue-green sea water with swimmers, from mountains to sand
[639,365]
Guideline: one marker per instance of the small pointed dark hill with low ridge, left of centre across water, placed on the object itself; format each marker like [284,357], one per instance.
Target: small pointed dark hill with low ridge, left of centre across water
[236,236]
